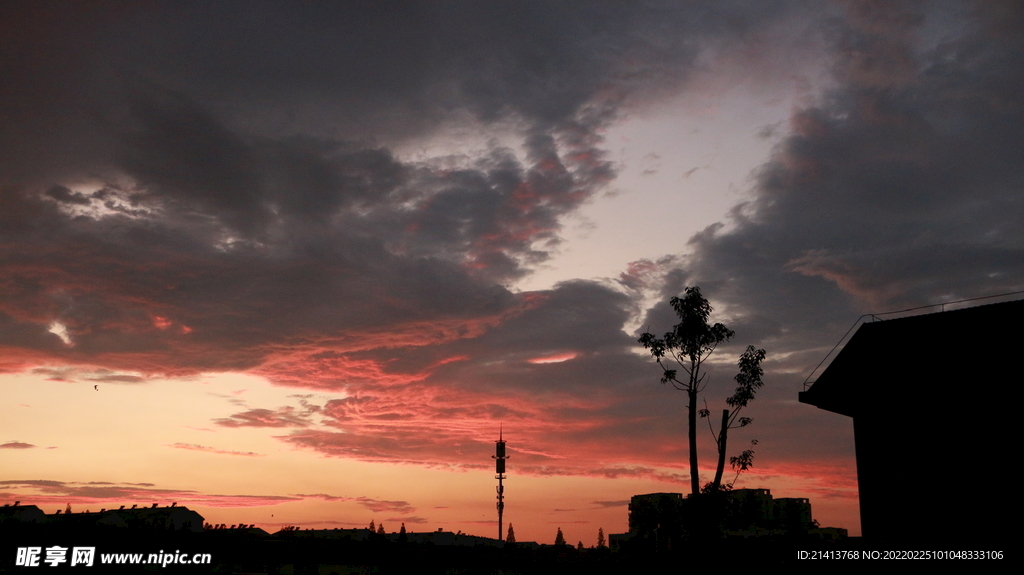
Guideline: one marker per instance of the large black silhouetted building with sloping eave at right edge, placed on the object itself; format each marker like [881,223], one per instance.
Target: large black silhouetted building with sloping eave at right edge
[931,402]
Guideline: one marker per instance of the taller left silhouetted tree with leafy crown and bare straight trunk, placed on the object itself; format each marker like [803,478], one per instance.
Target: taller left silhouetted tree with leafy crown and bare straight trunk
[690,344]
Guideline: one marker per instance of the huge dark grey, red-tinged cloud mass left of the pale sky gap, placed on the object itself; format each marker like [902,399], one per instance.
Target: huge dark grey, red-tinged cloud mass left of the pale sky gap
[200,189]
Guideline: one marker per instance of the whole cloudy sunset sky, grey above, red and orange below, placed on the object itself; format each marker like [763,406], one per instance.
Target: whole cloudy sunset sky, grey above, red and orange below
[294,264]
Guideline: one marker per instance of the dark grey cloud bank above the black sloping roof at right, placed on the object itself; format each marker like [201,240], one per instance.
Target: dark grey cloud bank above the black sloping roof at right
[900,189]
